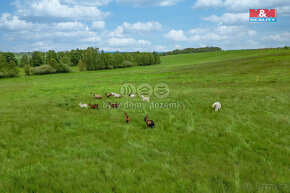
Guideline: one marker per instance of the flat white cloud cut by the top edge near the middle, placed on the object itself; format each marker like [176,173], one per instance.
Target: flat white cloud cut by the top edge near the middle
[143,3]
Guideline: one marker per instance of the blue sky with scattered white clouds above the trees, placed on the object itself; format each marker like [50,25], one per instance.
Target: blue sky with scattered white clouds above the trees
[144,25]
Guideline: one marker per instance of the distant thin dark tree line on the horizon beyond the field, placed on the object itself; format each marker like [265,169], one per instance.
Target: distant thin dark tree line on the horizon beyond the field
[191,50]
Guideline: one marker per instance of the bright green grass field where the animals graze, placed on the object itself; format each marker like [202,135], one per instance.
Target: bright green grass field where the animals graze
[49,144]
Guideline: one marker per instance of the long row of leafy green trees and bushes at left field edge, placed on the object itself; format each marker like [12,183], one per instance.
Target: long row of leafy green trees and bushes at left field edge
[39,63]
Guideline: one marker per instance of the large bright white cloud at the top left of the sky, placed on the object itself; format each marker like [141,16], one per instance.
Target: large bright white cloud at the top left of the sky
[55,9]
